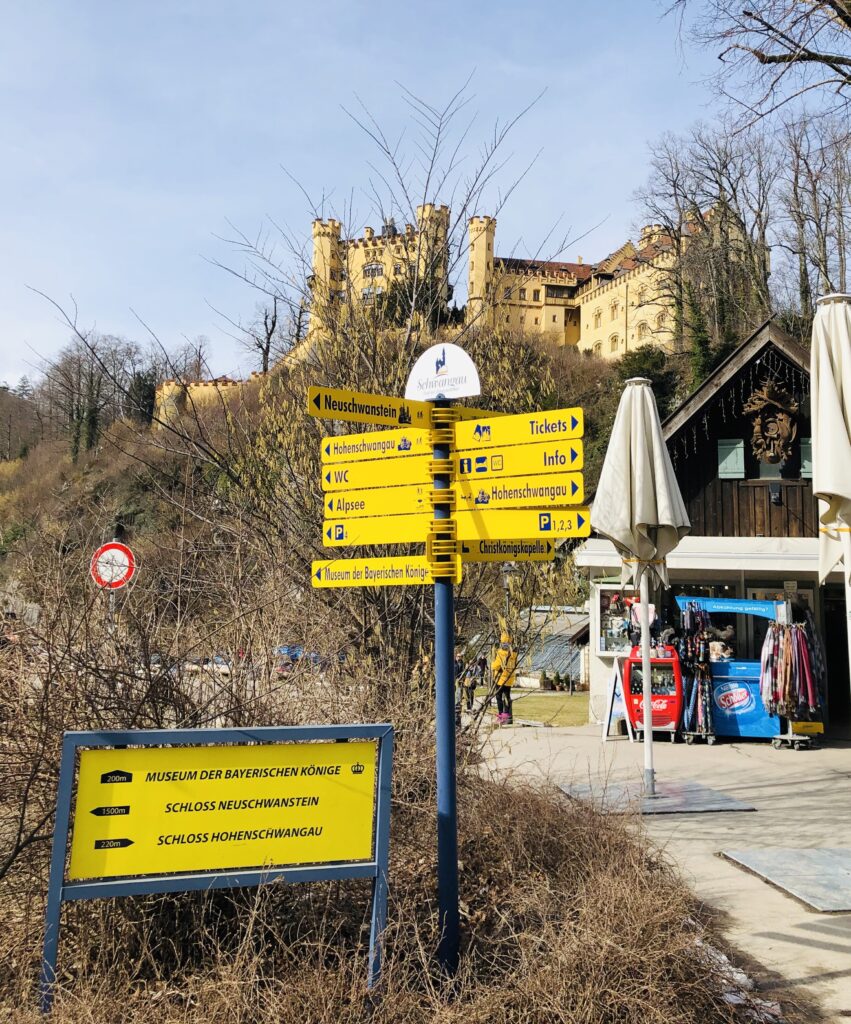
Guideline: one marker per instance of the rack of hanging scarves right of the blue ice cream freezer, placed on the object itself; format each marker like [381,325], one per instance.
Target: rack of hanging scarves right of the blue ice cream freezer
[793,673]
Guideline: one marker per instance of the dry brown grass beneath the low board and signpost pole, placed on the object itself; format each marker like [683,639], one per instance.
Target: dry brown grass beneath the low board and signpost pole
[567,918]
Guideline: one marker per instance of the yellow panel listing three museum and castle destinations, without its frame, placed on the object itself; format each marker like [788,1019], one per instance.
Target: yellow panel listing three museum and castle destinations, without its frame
[159,810]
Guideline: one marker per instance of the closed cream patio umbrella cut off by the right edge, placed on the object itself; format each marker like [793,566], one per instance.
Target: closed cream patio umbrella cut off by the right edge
[831,402]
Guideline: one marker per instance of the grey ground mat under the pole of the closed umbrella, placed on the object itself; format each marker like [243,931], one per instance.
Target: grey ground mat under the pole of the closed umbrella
[672,798]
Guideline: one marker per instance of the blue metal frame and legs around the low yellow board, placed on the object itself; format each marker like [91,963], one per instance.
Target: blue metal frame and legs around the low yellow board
[61,890]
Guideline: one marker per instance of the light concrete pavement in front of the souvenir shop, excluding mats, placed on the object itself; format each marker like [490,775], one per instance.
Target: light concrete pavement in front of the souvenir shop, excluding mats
[802,799]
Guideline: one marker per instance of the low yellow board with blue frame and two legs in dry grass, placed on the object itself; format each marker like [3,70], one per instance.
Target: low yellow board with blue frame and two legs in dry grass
[197,809]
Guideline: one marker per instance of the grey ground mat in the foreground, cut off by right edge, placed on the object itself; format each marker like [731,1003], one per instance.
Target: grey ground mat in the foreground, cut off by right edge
[820,878]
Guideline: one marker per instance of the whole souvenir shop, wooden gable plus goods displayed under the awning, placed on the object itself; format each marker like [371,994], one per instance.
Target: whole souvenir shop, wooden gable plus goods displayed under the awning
[761,648]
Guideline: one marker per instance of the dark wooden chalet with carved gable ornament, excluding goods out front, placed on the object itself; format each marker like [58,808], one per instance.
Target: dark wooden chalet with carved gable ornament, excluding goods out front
[742,451]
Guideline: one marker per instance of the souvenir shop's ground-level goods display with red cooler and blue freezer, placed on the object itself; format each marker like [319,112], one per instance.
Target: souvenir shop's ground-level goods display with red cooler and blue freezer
[734,668]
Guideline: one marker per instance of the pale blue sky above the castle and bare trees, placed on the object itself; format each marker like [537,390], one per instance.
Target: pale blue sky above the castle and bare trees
[135,134]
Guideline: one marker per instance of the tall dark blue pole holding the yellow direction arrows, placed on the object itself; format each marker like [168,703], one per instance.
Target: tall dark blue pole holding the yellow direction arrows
[445,733]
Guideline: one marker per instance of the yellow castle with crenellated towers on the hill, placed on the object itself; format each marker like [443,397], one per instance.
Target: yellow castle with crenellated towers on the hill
[609,309]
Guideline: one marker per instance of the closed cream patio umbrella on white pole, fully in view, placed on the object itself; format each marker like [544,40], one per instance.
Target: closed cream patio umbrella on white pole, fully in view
[639,506]
